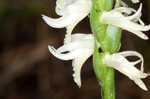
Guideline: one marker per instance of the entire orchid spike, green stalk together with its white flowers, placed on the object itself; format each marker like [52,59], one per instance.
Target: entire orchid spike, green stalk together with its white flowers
[107,23]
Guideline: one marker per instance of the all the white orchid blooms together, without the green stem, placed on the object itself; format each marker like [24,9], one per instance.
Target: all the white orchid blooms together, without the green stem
[79,47]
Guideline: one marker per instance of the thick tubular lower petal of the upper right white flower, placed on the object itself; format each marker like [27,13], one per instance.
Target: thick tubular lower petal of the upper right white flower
[119,20]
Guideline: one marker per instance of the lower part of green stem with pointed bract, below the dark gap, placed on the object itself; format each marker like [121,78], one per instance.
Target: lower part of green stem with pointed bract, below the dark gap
[105,75]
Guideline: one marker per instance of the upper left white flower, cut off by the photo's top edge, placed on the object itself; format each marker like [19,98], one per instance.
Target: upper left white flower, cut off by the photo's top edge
[71,12]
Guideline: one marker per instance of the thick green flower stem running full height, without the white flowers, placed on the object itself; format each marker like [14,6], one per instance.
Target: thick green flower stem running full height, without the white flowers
[108,37]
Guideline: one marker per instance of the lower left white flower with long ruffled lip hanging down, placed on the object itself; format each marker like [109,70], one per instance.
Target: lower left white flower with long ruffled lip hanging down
[79,50]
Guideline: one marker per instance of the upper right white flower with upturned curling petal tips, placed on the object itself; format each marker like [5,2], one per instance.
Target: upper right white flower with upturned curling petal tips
[120,17]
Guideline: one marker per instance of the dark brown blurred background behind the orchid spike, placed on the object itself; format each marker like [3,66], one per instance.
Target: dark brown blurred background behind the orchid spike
[29,71]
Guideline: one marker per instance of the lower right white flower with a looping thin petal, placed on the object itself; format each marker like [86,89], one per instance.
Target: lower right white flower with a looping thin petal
[120,63]
